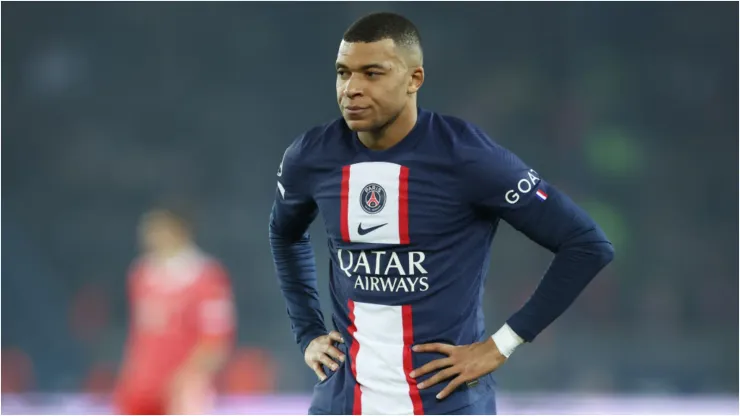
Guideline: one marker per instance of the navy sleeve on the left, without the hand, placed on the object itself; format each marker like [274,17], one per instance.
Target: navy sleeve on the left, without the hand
[292,212]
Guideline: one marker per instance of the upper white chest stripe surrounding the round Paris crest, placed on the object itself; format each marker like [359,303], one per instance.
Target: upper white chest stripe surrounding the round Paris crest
[386,175]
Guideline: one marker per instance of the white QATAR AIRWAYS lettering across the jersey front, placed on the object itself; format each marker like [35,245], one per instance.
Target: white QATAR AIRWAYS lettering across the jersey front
[385,271]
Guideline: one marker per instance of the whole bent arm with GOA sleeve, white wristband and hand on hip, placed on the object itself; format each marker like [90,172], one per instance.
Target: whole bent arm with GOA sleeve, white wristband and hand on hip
[499,185]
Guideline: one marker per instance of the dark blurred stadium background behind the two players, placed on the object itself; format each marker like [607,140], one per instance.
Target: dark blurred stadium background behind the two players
[630,108]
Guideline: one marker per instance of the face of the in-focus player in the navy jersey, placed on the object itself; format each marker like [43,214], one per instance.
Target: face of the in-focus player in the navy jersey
[373,83]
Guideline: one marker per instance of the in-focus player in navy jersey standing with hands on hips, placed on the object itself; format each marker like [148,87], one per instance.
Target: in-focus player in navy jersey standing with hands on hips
[411,201]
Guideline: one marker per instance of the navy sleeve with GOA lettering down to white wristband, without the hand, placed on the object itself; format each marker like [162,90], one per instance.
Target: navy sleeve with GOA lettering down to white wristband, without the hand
[509,189]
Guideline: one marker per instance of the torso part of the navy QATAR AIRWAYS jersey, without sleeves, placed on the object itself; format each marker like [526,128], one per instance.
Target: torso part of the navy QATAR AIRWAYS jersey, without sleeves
[408,259]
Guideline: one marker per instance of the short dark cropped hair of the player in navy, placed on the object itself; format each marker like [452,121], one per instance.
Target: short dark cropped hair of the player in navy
[384,25]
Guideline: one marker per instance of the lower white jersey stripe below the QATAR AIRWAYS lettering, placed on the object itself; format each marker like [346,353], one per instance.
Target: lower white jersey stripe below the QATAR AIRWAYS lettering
[379,362]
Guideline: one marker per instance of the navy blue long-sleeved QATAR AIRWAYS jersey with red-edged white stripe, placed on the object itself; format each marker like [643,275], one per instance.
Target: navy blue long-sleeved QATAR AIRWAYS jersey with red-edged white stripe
[409,231]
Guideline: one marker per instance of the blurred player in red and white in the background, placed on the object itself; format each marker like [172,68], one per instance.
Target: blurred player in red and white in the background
[182,321]
